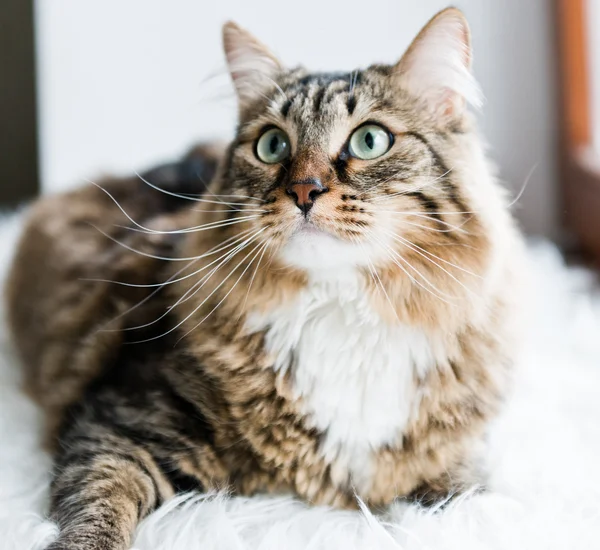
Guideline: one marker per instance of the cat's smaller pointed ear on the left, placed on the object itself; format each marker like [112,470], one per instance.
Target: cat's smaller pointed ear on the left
[251,64]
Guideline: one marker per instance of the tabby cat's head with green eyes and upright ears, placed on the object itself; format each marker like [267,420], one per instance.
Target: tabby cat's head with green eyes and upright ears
[362,169]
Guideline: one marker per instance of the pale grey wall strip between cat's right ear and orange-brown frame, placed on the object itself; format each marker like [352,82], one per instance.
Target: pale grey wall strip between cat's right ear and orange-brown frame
[516,65]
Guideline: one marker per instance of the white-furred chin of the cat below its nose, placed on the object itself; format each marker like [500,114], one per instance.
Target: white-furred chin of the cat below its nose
[315,250]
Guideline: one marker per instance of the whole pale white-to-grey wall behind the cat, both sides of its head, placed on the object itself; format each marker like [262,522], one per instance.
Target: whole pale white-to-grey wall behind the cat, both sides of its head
[123,82]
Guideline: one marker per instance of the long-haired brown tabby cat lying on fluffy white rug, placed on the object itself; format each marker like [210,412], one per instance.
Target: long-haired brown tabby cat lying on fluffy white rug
[326,307]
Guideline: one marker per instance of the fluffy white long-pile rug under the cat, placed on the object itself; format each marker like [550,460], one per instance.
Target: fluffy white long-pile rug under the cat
[544,457]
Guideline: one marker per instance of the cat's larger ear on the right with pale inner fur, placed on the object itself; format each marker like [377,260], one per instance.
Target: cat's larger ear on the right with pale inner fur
[436,68]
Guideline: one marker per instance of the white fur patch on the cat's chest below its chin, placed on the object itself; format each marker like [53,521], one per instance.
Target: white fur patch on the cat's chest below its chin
[353,373]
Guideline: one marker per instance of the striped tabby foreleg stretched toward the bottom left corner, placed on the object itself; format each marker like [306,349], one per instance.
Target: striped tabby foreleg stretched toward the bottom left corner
[104,485]
